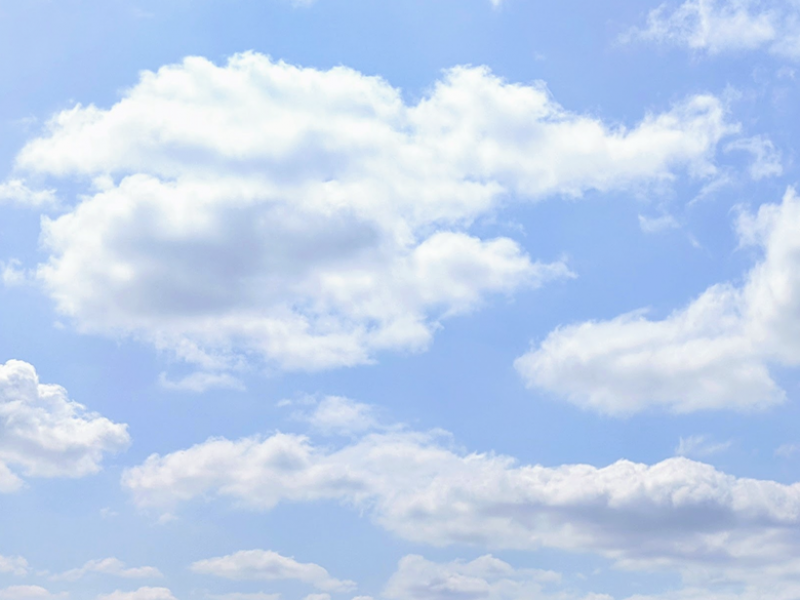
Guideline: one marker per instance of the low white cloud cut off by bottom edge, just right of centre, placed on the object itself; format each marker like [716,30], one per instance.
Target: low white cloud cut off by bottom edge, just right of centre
[485,578]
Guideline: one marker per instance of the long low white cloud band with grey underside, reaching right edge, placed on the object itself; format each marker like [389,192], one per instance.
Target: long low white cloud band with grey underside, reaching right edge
[678,514]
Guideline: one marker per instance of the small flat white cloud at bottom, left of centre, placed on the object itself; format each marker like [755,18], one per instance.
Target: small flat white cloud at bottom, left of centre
[270,566]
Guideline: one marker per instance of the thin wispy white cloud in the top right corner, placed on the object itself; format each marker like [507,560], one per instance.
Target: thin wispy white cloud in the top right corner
[718,26]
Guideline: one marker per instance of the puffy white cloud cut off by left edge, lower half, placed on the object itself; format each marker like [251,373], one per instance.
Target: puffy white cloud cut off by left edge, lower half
[45,434]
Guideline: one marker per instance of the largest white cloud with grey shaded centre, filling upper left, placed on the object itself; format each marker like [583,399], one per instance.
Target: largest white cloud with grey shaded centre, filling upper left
[312,219]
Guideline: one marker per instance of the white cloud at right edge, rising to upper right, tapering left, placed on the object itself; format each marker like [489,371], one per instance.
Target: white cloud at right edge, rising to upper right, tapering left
[713,354]
